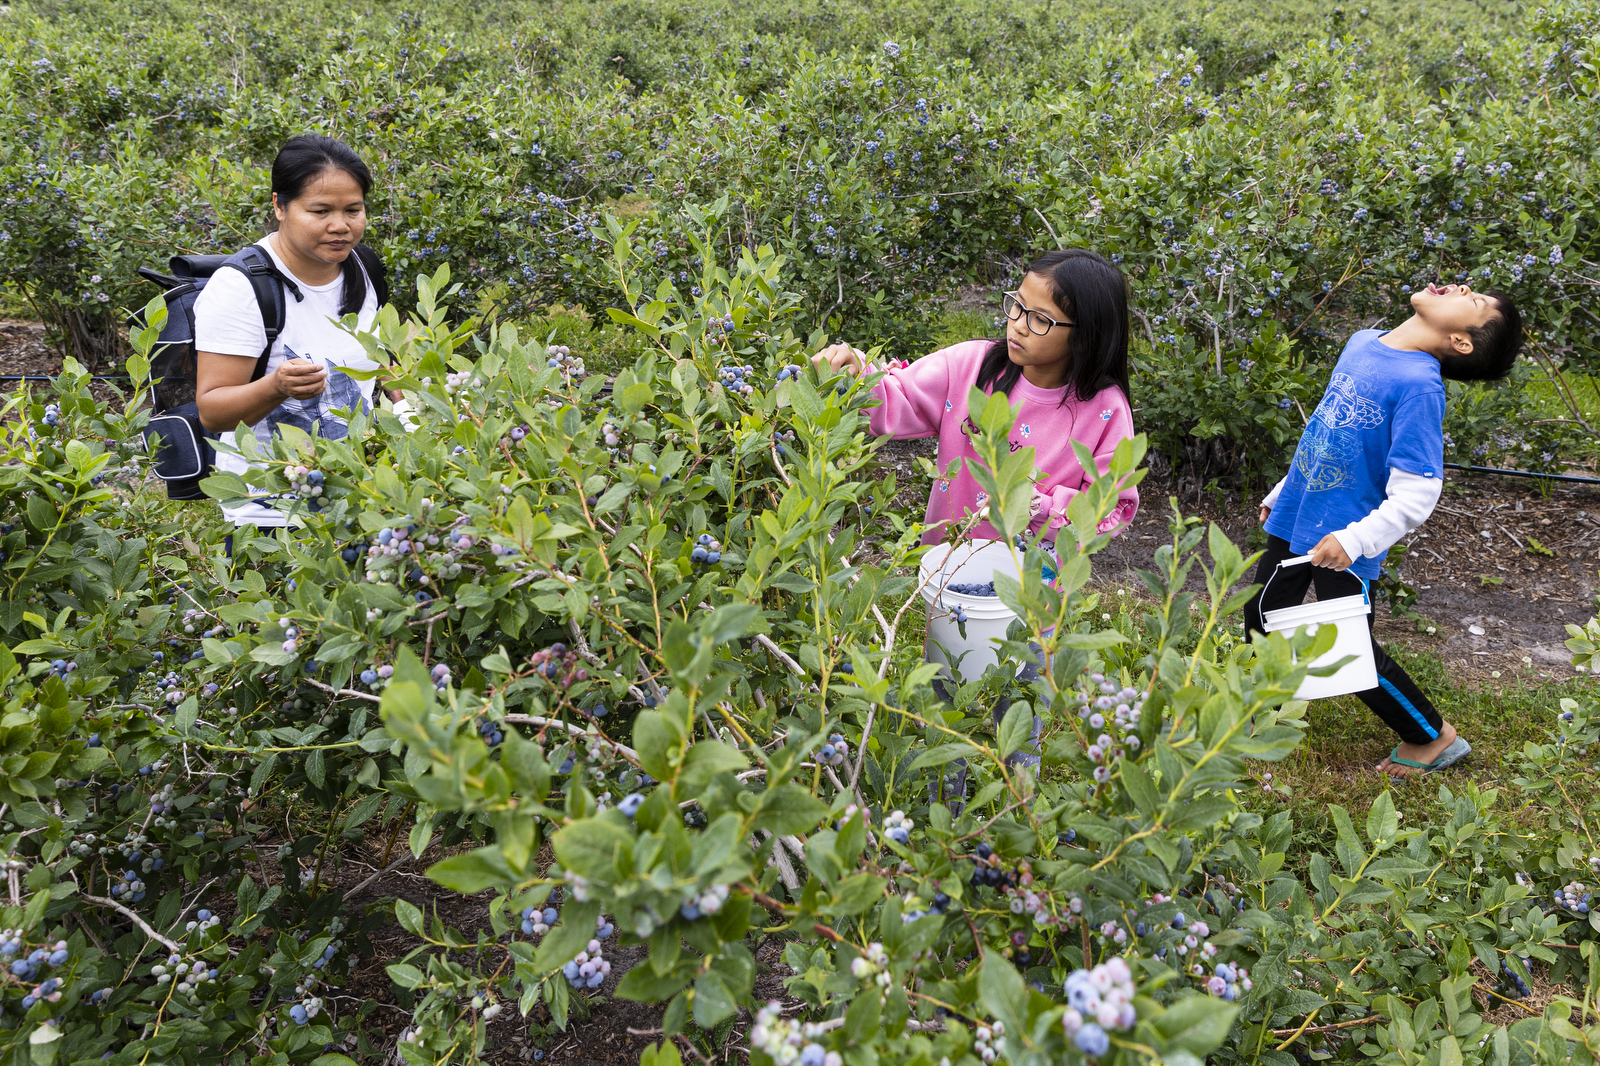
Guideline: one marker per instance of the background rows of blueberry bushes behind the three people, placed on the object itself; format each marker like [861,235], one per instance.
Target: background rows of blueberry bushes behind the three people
[1271,178]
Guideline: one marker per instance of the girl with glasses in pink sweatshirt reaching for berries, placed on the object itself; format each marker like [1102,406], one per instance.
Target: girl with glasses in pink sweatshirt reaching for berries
[1065,358]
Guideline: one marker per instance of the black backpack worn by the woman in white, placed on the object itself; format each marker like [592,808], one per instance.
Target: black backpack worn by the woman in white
[180,446]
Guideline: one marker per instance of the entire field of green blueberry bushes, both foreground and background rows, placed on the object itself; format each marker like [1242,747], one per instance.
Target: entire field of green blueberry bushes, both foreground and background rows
[630,638]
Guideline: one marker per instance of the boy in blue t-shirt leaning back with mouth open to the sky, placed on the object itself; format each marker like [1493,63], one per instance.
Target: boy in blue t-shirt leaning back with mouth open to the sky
[1370,470]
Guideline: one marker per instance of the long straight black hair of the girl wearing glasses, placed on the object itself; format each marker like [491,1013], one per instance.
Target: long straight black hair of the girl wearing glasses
[1094,295]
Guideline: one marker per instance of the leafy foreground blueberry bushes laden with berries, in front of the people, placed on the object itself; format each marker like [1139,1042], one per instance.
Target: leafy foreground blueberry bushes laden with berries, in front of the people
[628,652]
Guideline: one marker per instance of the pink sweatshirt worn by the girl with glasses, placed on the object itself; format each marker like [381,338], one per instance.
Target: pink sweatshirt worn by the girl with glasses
[929,399]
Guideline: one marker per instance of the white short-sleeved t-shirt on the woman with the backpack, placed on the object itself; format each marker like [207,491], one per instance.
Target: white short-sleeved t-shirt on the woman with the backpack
[228,323]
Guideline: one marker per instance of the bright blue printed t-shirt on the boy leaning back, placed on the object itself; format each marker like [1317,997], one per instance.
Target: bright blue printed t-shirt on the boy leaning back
[1383,409]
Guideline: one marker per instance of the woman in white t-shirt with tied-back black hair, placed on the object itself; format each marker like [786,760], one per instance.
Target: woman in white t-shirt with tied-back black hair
[319,202]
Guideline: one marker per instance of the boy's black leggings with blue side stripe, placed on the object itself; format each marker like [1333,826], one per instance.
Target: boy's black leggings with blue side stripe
[1398,700]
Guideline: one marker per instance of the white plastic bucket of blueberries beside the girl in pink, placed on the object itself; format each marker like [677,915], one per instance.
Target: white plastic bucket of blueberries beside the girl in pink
[972,563]
